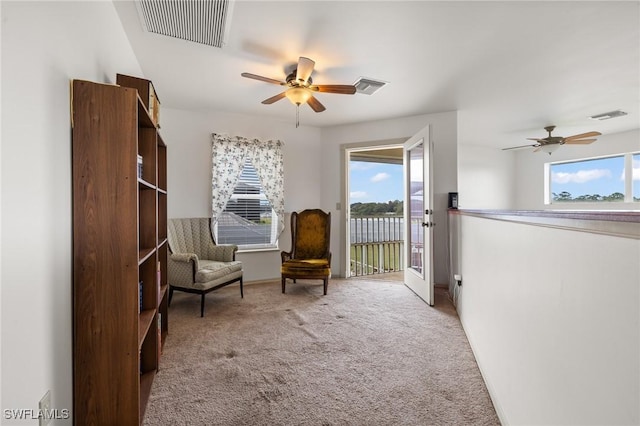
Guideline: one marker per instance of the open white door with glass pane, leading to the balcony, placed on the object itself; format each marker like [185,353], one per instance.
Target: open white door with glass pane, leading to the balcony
[418,214]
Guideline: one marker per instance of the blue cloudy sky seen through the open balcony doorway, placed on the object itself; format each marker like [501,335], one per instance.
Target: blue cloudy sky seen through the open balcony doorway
[375,182]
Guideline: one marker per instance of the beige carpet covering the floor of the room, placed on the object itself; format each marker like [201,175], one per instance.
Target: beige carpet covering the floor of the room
[368,353]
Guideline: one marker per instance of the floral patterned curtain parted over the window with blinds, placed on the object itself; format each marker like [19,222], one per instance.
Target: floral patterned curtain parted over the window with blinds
[228,156]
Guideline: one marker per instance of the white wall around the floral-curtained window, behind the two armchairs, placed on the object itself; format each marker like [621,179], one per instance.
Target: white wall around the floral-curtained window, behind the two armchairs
[188,138]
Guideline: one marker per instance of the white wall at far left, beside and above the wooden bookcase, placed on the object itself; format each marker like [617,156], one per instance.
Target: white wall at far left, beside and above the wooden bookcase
[44,45]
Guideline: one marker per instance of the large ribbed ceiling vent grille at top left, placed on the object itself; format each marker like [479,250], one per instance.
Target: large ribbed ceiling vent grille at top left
[200,21]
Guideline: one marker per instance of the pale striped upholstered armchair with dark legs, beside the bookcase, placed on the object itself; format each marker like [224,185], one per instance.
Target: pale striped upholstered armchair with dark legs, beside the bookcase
[196,264]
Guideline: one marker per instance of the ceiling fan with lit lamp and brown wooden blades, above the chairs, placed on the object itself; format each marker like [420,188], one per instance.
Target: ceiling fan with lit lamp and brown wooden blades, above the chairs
[300,87]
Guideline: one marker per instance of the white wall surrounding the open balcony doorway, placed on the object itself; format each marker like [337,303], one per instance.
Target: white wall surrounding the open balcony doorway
[444,135]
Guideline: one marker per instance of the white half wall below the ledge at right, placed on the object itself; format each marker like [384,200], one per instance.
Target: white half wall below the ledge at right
[553,323]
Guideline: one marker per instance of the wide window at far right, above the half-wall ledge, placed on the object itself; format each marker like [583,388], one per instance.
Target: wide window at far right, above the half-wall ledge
[598,180]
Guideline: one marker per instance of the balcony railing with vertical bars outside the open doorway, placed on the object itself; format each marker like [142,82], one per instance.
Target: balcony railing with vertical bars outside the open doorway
[377,244]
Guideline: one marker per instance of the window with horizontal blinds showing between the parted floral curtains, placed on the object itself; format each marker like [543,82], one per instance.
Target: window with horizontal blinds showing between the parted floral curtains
[248,219]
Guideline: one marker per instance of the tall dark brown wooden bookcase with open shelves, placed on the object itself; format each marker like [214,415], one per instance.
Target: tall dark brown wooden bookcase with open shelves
[120,316]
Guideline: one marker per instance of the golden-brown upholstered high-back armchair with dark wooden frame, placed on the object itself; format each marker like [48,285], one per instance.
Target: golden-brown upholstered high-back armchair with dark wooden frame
[309,257]
